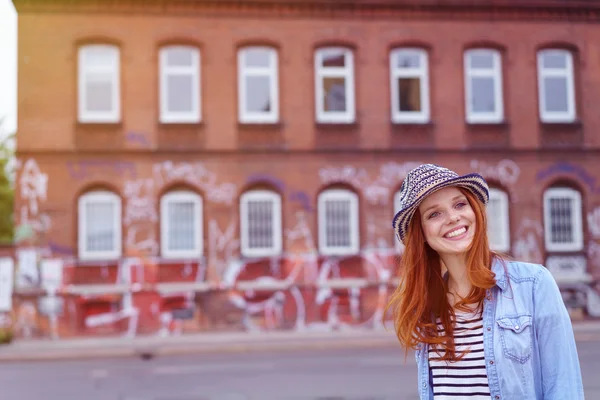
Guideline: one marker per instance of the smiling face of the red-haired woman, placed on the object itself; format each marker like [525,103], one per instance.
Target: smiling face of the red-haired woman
[448,221]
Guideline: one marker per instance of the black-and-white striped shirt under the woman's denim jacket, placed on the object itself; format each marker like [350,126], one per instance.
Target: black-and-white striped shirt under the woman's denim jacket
[466,378]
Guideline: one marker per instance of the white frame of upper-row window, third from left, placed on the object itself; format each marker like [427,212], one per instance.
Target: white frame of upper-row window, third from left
[272,72]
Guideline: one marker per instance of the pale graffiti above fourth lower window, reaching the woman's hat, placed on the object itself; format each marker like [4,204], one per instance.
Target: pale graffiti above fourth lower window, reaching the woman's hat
[376,191]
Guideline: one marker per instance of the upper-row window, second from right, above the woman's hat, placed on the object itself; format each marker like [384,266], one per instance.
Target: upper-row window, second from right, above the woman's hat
[483,86]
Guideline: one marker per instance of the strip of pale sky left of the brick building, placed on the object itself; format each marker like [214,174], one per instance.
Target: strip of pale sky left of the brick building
[8,67]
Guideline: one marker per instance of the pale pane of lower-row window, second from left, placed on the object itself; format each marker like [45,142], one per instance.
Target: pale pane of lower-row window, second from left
[182,233]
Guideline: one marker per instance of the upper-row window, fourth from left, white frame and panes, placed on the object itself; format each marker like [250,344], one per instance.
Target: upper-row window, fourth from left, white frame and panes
[334,85]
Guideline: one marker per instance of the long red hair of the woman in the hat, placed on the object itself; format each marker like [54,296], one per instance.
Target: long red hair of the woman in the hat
[421,298]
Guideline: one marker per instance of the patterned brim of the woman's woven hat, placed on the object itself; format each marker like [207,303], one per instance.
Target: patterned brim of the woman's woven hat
[474,182]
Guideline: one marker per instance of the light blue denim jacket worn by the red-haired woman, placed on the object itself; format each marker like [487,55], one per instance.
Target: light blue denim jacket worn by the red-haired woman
[528,339]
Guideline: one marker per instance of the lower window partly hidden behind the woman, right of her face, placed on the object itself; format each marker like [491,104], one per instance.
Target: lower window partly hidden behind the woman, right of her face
[498,221]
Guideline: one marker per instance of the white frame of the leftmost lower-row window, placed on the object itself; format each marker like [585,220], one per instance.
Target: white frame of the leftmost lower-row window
[99,196]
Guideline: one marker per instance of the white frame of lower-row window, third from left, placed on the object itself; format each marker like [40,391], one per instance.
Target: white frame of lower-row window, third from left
[261,195]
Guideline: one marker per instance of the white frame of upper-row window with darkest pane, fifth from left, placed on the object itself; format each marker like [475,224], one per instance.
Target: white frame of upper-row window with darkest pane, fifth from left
[422,73]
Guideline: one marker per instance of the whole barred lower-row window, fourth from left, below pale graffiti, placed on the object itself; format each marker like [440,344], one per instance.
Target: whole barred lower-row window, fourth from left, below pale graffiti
[338,222]
